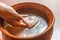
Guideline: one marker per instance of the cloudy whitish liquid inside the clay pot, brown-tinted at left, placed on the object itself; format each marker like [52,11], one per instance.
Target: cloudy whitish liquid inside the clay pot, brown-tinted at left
[26,32]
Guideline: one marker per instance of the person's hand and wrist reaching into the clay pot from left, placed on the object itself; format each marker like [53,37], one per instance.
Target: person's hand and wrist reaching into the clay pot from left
[11,16]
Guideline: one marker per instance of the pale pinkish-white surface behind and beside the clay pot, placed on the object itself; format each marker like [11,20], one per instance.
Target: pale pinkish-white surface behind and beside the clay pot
[54,6]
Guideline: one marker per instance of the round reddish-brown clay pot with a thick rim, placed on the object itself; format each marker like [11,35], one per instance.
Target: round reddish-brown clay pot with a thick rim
[37,9]
